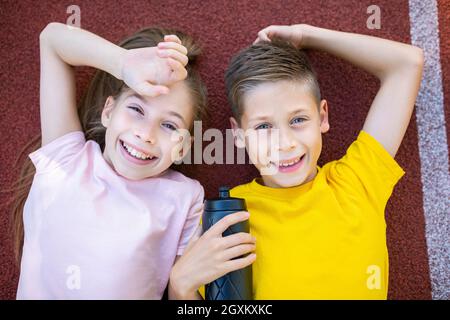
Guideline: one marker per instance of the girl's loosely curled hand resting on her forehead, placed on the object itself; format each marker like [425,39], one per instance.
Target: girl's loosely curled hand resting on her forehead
[149,71]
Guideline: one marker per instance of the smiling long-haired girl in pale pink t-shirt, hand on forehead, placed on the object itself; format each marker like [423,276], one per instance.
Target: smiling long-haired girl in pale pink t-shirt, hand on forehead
[105,217]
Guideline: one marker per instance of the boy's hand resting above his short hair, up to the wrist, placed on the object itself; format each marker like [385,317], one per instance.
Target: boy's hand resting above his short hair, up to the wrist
[293,34]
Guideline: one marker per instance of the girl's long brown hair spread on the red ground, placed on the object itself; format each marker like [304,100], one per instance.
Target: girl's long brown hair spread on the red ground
[90,109]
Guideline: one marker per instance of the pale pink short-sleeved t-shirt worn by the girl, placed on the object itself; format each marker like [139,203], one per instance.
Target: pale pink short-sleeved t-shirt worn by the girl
[93,234]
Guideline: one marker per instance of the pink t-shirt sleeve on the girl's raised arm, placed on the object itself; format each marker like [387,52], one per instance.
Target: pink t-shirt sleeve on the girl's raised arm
[58,152]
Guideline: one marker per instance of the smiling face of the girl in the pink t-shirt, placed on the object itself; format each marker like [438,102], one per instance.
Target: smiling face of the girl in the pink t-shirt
[145,135]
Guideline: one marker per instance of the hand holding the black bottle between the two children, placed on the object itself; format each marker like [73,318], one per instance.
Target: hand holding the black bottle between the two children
[211,255]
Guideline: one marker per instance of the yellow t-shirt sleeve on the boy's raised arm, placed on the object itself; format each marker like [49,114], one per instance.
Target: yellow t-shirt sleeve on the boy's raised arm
[367,169]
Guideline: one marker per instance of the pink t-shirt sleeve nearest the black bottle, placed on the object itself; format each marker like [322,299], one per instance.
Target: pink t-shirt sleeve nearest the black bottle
[193,218]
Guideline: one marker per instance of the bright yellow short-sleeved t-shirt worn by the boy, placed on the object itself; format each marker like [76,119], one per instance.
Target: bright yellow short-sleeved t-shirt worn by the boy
[325,239]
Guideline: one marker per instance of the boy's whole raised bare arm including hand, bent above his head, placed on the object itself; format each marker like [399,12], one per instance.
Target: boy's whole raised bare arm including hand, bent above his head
[398,66]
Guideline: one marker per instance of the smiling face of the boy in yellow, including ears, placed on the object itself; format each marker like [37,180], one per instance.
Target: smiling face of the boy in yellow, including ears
[283,129]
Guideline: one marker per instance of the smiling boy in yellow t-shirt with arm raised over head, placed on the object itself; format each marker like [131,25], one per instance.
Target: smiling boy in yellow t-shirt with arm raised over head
[320,231]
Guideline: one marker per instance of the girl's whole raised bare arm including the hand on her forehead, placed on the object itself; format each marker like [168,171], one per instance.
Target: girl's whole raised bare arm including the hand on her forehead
[62,47]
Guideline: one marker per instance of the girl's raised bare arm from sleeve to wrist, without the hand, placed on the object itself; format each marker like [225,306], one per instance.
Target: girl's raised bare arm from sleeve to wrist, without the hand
[60,48]
